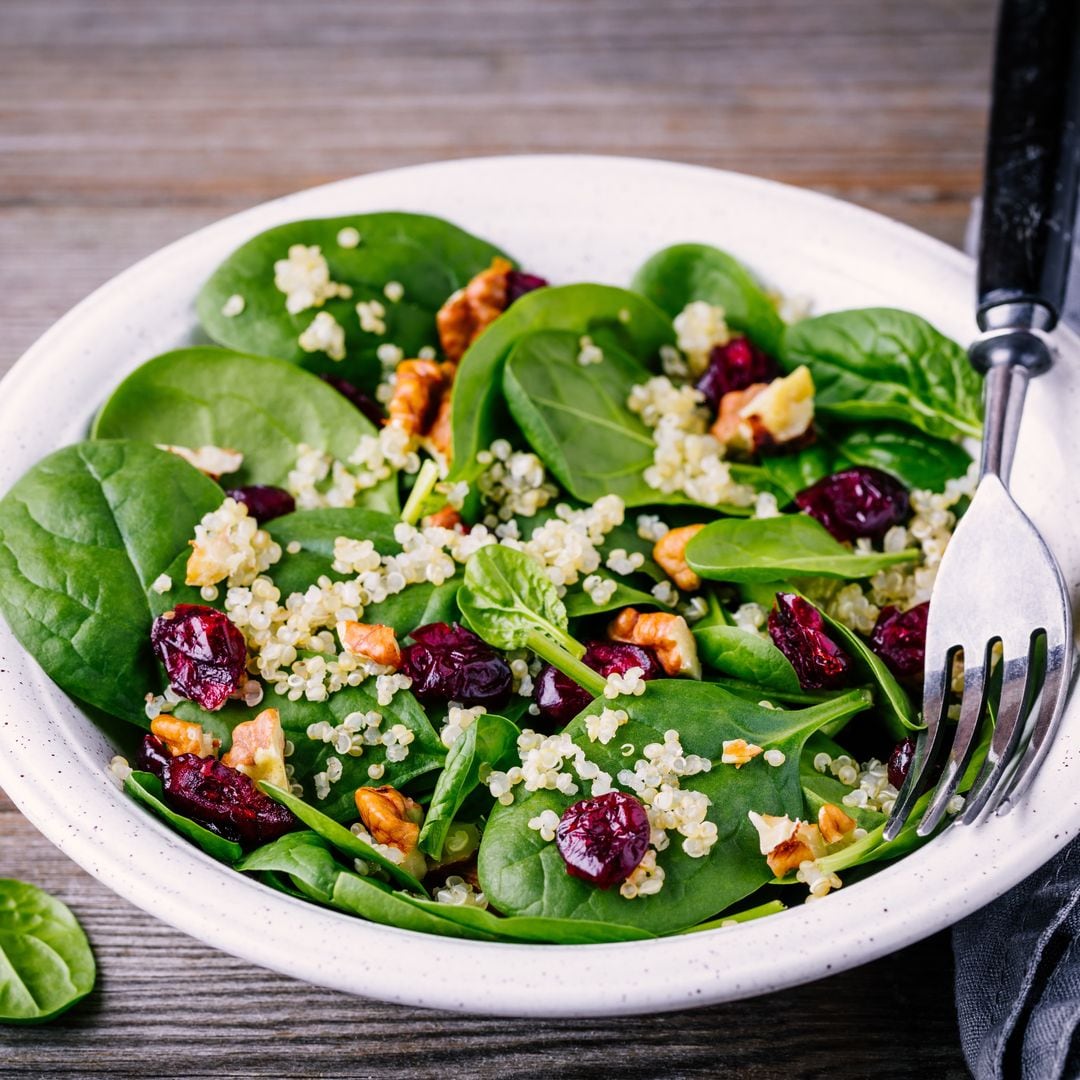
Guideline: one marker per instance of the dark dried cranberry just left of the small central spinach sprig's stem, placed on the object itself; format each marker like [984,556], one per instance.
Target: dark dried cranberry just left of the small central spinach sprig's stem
[451,664]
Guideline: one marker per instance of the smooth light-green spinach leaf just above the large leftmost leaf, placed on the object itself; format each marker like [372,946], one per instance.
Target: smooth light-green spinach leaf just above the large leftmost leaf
[261,407]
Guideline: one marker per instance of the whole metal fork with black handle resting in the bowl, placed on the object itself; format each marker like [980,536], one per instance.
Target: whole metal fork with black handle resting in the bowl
[1000,584]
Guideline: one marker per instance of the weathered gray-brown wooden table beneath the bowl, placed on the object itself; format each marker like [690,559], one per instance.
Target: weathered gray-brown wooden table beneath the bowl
[126,125]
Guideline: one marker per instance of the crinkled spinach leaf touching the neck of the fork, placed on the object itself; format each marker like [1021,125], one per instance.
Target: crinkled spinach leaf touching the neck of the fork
[884,364]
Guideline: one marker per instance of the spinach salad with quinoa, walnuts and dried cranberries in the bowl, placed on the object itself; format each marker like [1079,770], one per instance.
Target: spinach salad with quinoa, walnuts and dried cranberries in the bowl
[464,602]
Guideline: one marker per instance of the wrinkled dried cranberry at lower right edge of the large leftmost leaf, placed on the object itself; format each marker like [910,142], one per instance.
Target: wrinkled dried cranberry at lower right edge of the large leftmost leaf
[205,654]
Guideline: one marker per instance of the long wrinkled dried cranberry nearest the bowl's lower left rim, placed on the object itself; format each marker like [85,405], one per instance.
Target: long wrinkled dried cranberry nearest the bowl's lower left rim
[225,801]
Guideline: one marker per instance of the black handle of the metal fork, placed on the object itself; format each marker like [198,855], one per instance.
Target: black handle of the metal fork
[1033,166]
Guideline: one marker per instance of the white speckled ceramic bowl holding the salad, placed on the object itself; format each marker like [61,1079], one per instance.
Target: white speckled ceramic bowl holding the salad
[571,219]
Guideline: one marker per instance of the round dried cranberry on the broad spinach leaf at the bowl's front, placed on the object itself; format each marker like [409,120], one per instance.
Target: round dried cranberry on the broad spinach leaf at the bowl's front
[602,841]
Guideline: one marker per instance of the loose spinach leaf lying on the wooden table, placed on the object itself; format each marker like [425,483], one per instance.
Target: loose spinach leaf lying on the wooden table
[46,963]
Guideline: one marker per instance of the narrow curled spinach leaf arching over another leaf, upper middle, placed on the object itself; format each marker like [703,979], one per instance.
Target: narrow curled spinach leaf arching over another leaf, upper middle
[477,403]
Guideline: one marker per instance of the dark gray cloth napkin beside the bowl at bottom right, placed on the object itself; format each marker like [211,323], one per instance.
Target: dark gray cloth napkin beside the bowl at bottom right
[1018,961]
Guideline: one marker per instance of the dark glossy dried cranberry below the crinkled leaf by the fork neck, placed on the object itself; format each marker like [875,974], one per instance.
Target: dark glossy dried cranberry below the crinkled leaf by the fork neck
[857,503]
